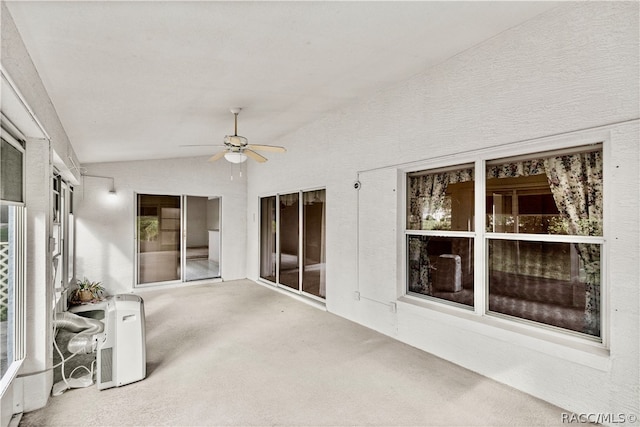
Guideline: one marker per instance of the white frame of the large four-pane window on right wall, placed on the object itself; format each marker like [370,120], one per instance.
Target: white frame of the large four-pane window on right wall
[526,149]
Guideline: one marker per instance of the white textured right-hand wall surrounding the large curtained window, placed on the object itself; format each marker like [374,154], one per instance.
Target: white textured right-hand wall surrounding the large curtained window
[567,77]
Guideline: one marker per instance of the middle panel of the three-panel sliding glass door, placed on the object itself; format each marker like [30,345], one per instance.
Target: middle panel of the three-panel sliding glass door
[290,240]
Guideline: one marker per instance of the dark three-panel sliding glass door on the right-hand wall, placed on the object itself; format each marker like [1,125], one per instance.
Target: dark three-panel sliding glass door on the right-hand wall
[292,241]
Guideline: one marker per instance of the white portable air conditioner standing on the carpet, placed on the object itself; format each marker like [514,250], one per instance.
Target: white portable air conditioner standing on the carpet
[121,357]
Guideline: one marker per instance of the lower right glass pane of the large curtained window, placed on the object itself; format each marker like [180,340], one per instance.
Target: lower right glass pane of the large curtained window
[546,282]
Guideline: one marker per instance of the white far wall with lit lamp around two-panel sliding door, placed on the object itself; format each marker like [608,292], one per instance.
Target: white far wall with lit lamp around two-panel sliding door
[105,245]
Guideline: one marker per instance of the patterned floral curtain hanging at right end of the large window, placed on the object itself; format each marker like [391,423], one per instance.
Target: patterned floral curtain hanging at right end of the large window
[576,184]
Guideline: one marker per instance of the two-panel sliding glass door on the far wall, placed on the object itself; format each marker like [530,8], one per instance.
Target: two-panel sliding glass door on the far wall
[178,238]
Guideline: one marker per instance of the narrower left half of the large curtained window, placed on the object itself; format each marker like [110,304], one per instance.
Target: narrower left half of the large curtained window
[440,238]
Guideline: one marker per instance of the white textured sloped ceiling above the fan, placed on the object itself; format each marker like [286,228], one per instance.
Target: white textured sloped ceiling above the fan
[137,79]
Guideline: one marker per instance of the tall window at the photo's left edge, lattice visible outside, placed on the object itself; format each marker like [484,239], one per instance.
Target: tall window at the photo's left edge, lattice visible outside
[12,257]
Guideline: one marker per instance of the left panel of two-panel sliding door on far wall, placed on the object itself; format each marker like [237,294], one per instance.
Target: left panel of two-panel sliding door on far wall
[158,231]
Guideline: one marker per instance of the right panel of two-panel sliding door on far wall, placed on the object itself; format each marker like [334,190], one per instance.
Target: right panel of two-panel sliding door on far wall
[202,238]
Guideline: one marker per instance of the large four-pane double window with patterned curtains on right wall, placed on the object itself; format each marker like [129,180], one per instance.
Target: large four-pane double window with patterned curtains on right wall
[541,245]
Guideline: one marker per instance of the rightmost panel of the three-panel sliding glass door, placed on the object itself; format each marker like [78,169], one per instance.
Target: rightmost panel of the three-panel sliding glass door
[313,274]
